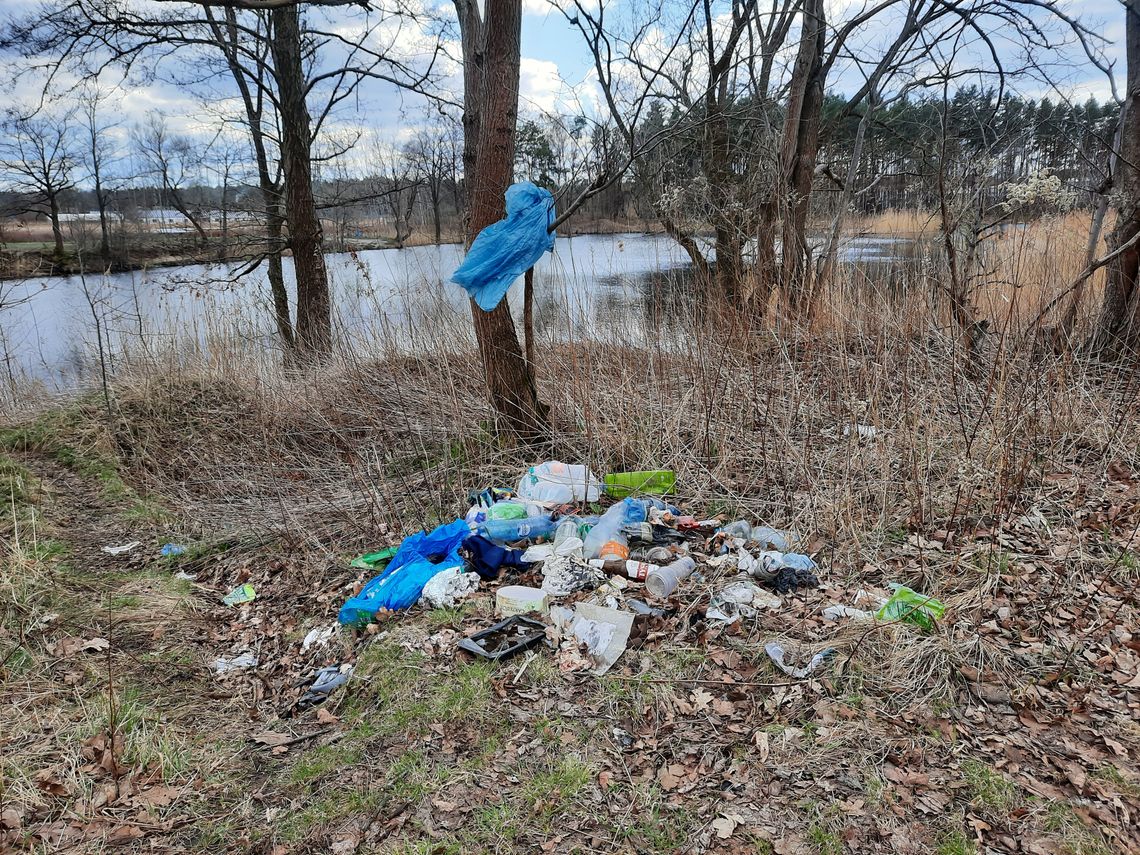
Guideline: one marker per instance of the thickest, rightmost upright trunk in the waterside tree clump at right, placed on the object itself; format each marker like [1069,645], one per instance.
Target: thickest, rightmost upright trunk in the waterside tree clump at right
[802,143]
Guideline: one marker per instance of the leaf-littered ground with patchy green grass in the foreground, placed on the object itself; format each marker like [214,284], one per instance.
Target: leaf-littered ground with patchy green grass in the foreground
[1014,728]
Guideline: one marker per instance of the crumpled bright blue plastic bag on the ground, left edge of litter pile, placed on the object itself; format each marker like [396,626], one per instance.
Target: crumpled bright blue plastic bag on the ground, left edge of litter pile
[400,587]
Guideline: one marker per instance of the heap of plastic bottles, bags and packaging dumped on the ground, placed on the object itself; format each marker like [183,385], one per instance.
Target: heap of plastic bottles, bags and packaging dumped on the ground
[588,567]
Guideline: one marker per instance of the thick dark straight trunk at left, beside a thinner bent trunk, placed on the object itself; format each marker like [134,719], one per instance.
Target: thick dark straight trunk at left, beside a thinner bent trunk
[314,308]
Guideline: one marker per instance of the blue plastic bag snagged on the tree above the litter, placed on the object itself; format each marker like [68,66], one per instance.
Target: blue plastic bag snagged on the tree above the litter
[506,250]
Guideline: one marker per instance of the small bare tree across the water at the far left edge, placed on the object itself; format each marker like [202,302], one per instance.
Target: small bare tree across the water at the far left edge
[37,157]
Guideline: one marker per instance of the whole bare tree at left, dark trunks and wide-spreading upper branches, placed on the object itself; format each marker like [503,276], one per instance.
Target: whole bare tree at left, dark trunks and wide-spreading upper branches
[290,92]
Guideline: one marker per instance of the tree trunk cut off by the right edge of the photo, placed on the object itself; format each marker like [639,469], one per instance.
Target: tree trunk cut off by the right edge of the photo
[1119,329]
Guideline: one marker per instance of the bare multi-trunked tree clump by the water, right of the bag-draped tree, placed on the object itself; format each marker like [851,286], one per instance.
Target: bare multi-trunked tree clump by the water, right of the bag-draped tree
[756,127]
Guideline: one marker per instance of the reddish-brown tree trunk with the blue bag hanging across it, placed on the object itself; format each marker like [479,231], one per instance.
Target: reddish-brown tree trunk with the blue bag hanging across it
[510,380]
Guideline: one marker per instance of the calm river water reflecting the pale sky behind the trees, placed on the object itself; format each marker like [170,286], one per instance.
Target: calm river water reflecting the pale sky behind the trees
[592,287]
